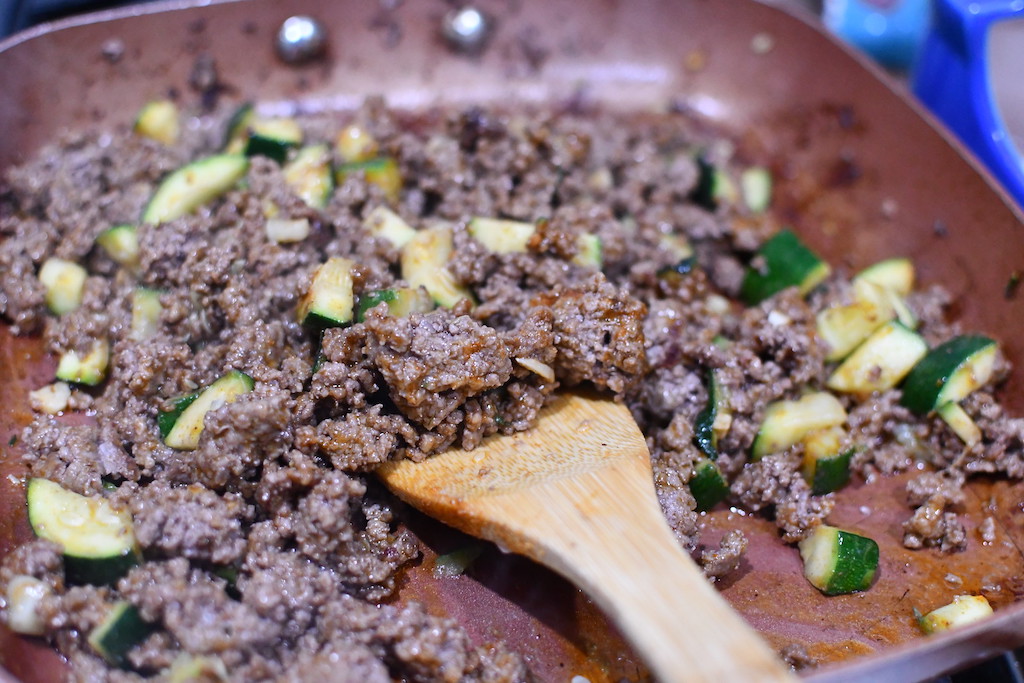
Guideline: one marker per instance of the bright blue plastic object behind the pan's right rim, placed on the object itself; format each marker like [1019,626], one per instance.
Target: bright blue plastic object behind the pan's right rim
[952,79]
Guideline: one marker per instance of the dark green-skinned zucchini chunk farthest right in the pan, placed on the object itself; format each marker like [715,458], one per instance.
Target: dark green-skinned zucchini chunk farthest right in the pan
[950,372]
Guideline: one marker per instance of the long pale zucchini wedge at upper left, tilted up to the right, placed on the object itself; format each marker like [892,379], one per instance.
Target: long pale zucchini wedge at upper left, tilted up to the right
[193,186]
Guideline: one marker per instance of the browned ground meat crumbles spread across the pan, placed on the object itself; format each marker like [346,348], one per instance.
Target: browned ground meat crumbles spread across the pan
[265,549]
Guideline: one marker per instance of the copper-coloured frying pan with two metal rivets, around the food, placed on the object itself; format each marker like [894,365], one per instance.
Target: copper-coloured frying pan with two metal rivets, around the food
[863,174]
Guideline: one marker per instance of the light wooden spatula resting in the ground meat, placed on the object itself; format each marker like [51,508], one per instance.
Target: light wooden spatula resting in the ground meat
[576,494]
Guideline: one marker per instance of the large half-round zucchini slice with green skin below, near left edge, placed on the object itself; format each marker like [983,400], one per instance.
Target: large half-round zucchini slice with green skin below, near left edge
[99,542]
